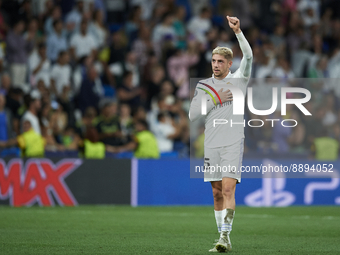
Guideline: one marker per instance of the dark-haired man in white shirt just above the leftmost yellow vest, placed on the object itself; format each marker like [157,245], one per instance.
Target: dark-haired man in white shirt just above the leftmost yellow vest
[33,107]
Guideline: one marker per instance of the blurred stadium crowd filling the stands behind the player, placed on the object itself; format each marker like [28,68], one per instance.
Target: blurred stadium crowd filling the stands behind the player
[96,75]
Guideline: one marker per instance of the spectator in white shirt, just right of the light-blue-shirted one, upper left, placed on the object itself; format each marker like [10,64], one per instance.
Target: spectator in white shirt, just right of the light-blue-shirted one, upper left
[82,44]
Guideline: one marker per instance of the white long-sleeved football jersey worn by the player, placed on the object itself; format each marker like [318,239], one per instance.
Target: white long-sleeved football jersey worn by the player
[222,127]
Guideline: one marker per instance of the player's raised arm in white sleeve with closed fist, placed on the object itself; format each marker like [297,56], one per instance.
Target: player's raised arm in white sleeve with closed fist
[247,59]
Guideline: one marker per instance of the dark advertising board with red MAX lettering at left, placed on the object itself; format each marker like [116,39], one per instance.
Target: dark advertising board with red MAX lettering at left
[64,182]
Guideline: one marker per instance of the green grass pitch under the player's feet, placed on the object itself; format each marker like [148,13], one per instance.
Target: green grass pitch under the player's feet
[166,230]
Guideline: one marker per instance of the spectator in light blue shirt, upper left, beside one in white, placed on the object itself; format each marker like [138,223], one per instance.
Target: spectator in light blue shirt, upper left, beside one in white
[56,41]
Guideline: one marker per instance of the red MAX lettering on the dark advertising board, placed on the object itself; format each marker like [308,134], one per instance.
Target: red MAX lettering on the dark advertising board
[35,181]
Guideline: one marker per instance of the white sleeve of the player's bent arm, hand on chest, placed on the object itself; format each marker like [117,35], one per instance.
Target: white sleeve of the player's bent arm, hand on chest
[195,111]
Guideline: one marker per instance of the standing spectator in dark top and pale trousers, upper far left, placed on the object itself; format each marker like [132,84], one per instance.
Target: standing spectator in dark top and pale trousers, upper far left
[17,52]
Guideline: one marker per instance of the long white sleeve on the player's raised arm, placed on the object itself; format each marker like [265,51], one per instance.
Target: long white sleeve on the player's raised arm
[247,59]
